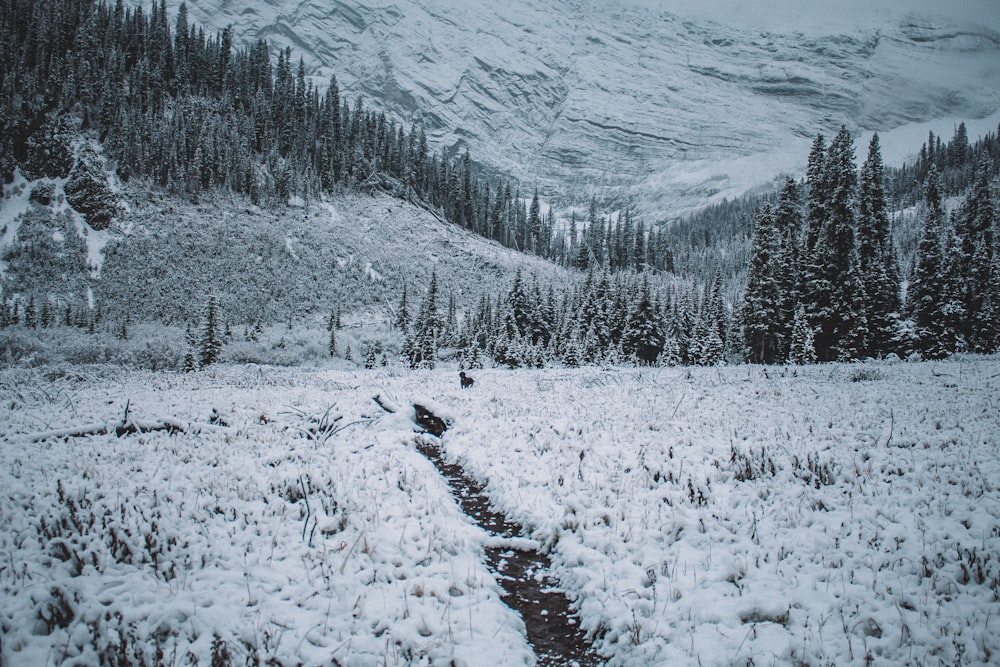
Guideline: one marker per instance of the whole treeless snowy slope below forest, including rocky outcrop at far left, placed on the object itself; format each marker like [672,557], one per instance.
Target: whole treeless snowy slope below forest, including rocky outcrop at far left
[165,255]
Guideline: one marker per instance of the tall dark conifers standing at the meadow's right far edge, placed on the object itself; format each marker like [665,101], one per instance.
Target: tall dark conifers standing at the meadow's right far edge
[824,281]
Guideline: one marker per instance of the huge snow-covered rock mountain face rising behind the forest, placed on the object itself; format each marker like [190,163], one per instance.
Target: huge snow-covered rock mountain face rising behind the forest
[669,104]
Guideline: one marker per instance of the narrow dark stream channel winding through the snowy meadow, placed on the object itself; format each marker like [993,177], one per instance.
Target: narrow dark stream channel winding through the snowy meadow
[553,631]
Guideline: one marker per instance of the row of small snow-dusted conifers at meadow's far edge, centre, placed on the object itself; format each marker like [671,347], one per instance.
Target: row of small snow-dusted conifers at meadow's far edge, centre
[604,317]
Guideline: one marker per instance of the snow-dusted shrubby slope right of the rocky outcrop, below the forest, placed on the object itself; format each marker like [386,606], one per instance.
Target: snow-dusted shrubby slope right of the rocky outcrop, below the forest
[354,252]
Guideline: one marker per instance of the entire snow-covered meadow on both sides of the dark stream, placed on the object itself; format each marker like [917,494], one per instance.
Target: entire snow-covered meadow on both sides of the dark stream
[835,514]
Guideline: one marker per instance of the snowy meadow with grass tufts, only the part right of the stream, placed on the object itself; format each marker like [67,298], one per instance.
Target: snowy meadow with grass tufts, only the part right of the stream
[831,515]
